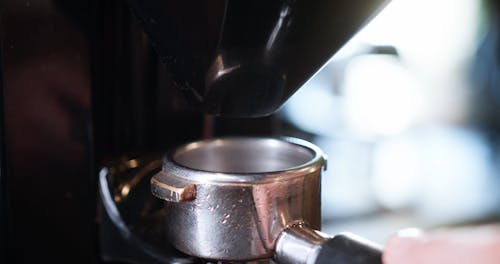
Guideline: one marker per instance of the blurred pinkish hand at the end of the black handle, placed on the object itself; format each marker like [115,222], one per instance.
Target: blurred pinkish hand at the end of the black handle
[458,246]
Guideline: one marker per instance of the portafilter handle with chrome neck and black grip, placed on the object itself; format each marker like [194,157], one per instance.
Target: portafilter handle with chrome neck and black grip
[299,244]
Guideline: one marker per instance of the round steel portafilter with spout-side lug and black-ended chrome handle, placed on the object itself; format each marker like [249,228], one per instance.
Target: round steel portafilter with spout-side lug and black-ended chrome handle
[241,199]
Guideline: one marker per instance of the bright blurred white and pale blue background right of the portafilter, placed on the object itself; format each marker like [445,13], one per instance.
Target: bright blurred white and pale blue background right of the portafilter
[408,113]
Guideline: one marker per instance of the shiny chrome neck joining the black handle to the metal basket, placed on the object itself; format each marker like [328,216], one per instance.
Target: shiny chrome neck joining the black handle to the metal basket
[299,244]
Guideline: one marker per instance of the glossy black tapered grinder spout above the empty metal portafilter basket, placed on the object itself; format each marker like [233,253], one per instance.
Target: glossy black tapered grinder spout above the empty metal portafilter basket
[246,58]
